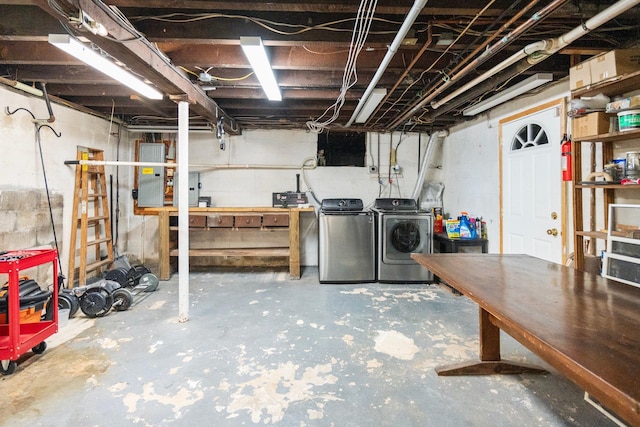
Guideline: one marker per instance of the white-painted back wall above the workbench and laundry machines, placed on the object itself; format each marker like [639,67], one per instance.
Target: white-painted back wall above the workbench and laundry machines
[249,183]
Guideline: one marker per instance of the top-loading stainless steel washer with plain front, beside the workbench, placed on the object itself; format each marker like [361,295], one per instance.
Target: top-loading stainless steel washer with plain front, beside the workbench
[346,242]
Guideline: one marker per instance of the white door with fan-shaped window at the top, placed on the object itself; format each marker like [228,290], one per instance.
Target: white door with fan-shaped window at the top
[532,197]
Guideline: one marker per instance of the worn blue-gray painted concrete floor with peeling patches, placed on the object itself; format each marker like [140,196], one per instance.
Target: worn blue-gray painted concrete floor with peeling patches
[260,349]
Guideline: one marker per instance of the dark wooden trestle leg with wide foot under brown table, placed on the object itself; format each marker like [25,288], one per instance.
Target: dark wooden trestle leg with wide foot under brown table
[490,361]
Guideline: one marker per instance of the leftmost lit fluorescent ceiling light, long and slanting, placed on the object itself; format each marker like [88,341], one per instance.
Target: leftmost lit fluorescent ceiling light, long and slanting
[102,64]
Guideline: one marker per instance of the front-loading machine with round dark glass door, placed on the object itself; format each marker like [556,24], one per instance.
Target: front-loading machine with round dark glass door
[402,229]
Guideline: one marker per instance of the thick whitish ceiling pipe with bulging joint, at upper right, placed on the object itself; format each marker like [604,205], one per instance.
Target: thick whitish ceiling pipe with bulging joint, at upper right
[538,51]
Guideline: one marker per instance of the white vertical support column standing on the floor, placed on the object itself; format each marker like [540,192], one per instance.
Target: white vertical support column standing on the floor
[183,211]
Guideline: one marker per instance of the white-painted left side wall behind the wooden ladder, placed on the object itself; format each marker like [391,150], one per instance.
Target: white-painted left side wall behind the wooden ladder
[21,168]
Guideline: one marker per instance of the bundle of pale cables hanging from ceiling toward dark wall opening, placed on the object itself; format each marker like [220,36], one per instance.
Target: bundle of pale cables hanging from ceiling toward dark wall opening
[350,76]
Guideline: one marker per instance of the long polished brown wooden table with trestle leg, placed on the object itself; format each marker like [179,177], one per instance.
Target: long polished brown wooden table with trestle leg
[585,326]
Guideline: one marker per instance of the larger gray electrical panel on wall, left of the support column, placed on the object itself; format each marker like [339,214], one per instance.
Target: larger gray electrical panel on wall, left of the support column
[151,178]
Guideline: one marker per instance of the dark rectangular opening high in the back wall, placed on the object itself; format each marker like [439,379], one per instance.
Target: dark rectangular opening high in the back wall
[342,149]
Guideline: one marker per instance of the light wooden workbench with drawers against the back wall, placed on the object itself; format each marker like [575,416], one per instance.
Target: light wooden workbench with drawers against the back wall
[290,248]
